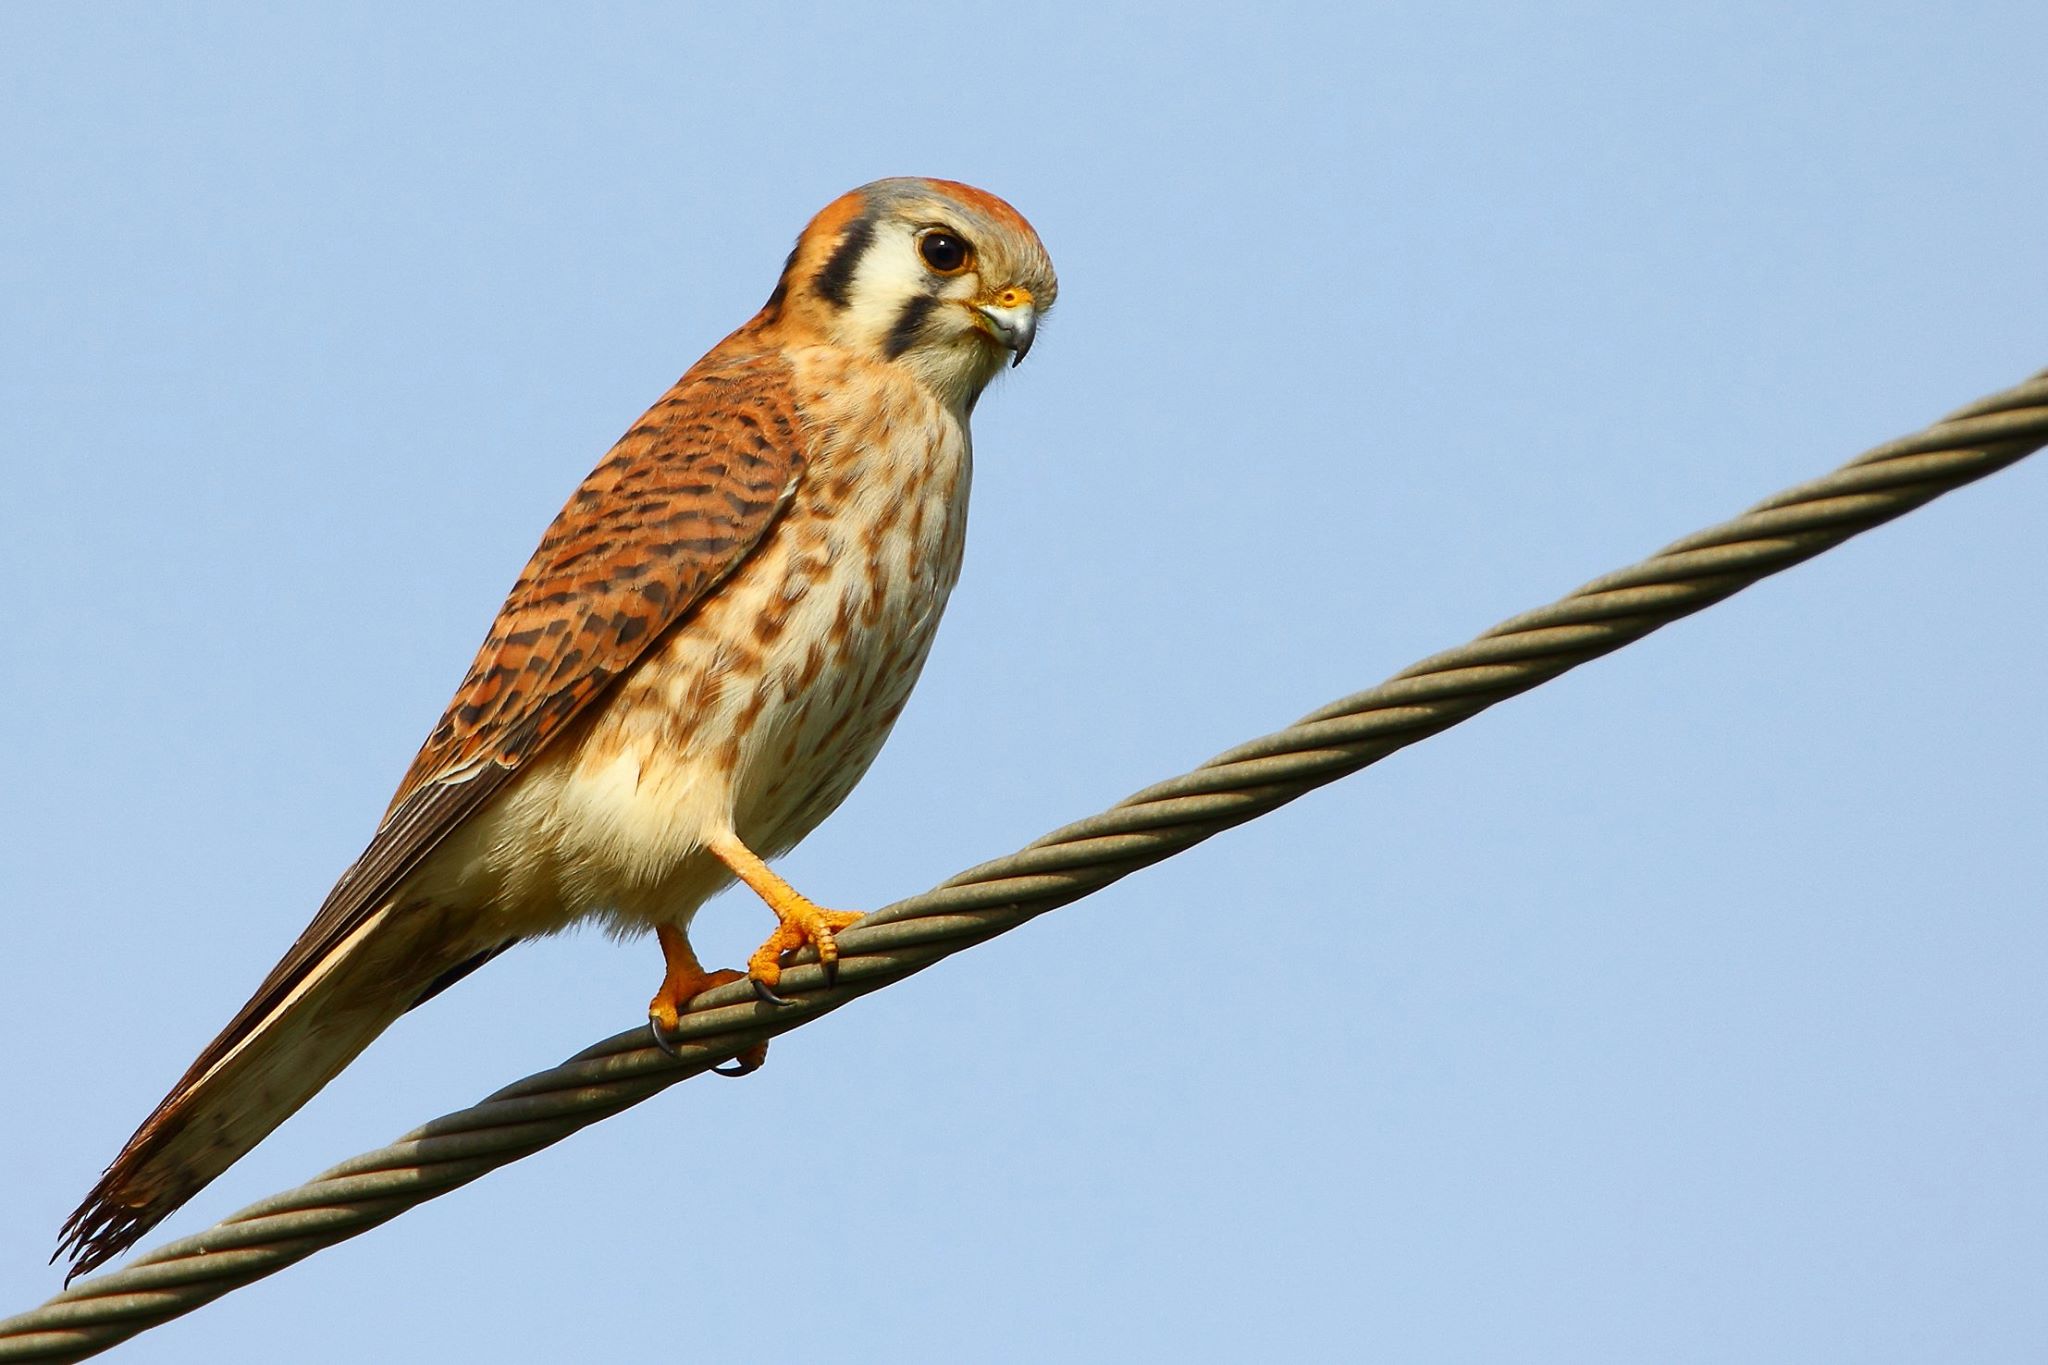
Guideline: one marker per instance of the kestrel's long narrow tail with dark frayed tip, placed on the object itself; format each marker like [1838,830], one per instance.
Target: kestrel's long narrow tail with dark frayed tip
[310,1018]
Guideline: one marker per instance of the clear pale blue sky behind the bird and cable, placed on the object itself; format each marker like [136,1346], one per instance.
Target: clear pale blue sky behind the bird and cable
[1687,1010]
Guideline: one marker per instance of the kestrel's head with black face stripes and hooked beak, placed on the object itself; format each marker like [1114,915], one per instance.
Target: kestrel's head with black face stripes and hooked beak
[933,275]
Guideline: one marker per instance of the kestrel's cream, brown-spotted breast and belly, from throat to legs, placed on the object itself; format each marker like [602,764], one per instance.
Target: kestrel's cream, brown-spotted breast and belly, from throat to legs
[767,705]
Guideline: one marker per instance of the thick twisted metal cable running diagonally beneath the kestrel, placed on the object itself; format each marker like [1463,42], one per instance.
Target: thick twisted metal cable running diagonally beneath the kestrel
[1056,871]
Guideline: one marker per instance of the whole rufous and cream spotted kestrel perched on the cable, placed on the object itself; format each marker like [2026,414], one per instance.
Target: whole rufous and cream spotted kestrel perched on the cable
[691,672]
